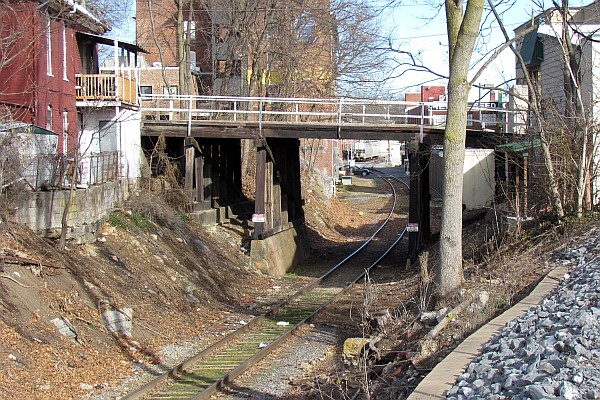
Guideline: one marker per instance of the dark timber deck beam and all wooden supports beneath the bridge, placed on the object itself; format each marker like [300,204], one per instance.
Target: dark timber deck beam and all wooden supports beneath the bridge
[212,155]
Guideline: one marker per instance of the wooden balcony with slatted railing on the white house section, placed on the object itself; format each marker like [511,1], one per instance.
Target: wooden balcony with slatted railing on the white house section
[100,88]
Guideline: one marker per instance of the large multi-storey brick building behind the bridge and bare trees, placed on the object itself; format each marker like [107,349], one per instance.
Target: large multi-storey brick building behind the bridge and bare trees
[273,49]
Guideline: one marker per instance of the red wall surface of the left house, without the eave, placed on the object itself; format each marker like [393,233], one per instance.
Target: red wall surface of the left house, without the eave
[26,88]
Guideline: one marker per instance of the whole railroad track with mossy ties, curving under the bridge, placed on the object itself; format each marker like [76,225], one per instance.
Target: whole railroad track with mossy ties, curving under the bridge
[218,365]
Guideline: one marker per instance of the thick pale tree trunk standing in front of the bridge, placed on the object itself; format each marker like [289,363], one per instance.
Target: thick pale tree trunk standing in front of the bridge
[462,34]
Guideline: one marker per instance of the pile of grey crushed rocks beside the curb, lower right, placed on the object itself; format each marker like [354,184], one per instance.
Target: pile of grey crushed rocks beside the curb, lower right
[553,350]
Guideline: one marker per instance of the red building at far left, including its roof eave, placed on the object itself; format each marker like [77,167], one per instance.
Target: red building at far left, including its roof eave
[38,78]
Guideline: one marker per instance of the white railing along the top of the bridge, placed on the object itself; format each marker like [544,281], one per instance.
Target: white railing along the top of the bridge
[491,116]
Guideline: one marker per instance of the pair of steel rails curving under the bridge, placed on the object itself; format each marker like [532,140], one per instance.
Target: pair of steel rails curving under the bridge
[236,370]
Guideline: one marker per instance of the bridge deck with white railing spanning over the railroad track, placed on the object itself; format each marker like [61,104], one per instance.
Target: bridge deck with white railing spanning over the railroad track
[249,118]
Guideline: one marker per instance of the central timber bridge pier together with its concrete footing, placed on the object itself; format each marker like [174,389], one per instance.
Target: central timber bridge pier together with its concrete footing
[280,240]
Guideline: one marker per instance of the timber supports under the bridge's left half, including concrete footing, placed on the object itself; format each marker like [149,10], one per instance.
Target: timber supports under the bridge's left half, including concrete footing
[217,190]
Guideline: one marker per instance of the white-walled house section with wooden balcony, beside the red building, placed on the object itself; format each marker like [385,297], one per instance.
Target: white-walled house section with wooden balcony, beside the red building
[109,115]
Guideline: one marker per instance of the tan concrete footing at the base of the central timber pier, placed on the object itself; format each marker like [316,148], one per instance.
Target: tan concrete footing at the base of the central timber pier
[279,253]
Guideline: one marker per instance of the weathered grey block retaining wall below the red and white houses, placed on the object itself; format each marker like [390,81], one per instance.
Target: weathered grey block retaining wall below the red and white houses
[42,211]
